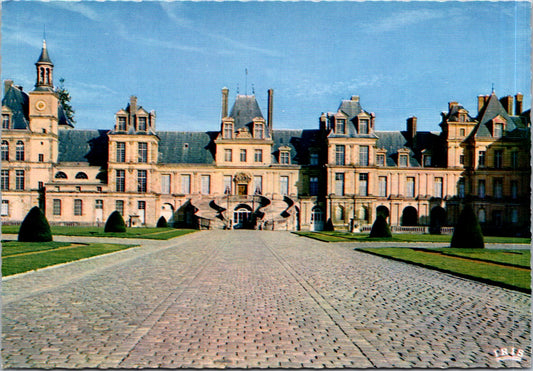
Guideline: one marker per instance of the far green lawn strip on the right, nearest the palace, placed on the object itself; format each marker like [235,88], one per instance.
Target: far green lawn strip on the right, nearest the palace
[336,236]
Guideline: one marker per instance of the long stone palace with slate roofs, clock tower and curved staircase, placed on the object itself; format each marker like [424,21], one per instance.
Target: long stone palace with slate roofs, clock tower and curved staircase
[246,174]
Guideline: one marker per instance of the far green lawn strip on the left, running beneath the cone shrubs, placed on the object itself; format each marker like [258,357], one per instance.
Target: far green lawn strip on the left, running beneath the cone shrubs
[143,233]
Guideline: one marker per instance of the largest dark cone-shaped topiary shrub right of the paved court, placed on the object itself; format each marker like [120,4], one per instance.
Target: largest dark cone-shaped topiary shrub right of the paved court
[467,233]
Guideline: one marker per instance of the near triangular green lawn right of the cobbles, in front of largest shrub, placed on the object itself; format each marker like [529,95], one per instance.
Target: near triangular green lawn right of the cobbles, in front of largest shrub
[499,275]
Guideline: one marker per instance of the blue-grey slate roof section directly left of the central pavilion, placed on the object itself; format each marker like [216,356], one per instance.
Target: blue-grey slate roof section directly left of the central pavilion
[186,147]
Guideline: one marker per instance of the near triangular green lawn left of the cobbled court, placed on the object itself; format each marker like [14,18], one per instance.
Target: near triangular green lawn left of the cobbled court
[18,257]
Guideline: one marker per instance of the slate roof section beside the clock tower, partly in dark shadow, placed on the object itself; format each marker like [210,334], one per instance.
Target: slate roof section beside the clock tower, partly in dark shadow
[83,146]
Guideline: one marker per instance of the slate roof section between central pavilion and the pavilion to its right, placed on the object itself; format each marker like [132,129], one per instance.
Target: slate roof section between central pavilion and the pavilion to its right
[299,142]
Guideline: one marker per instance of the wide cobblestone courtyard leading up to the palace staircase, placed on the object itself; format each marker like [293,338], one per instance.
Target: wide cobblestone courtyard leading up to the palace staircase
[255,299]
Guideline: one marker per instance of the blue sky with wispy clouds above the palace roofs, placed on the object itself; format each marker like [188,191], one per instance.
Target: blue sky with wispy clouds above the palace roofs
[401,58]
